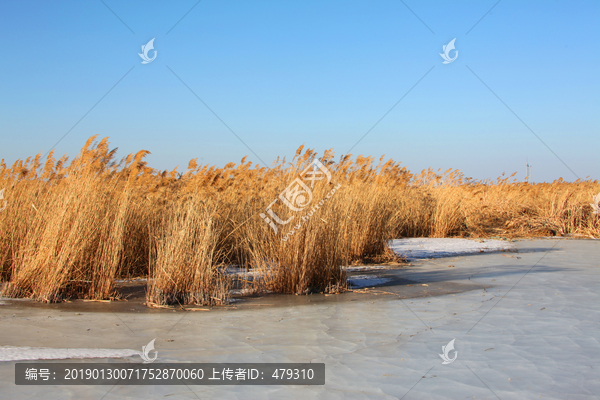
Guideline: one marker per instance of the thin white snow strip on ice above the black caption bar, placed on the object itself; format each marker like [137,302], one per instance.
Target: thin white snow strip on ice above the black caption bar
[9,353]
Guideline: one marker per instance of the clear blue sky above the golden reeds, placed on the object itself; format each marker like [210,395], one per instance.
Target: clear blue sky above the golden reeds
[283,73]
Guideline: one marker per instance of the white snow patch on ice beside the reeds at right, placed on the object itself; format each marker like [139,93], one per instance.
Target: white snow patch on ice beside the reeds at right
[420,248]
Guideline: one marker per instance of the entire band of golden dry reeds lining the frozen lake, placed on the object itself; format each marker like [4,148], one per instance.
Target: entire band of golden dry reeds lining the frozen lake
[72,229]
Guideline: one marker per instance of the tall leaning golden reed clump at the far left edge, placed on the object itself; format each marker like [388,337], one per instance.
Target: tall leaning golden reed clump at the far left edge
[70,227]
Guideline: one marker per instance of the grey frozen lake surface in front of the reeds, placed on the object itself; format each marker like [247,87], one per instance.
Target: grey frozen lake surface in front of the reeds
[526,325]
